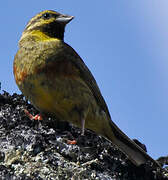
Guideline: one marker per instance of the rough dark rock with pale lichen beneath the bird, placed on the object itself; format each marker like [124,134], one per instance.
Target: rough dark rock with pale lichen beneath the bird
[38,150]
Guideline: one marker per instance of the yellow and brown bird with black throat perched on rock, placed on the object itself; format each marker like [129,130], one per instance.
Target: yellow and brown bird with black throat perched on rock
[55,79]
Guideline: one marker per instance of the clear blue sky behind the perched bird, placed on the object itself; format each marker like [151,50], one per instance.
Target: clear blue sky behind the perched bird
[124,44]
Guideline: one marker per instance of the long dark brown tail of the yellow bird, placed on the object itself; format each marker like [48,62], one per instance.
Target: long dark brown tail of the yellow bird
[135,153]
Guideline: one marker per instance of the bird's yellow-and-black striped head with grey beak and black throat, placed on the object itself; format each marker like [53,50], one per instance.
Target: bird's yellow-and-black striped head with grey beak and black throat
[47,23]
